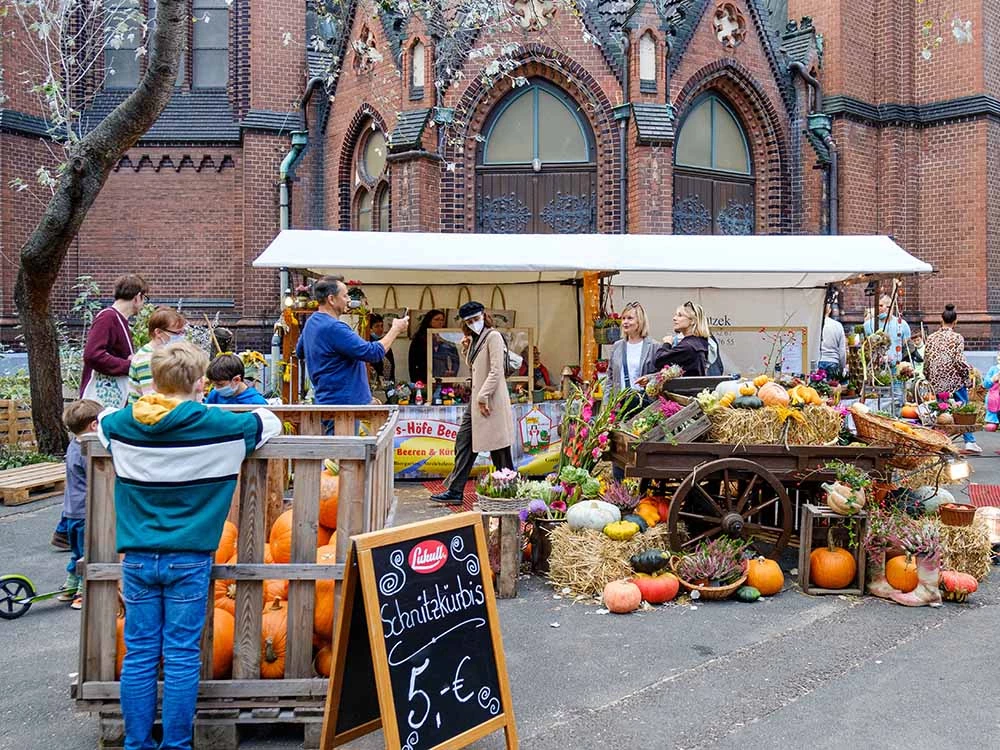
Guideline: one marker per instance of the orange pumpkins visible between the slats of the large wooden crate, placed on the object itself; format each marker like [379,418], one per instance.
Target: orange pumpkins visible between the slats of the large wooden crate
[274,617]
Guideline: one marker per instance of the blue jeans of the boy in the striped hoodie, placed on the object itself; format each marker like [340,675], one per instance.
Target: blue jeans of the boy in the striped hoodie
[166,595]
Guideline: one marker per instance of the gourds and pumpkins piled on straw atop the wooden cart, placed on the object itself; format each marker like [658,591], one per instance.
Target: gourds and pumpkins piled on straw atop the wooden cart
[763,412]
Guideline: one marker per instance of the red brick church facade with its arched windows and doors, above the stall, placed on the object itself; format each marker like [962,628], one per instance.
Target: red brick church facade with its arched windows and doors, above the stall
[665,116]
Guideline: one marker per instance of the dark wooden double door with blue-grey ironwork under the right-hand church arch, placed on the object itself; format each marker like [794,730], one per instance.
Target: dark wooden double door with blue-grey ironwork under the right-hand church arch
[710,205]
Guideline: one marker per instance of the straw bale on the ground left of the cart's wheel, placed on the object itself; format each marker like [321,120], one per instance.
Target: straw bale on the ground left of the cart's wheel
[585,560]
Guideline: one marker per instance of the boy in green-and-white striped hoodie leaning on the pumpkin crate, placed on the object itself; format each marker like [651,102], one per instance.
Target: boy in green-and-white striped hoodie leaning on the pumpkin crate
[176,464]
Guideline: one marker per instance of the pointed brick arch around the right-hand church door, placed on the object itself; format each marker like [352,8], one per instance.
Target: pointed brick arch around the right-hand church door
[766,136]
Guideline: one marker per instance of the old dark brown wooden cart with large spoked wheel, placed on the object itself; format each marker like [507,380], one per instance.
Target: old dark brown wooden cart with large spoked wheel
[753,491]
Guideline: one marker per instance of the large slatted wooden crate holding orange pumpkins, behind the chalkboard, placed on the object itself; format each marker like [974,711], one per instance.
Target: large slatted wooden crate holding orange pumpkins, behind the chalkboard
[366,495]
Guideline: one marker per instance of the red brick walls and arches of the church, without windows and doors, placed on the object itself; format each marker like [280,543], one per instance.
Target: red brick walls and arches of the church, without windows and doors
[193,217]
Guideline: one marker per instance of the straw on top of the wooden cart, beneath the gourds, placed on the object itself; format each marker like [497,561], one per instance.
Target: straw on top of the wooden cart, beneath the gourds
[819,425]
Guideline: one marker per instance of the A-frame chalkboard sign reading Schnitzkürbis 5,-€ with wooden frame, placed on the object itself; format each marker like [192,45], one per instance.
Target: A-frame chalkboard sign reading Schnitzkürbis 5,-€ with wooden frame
[417,648]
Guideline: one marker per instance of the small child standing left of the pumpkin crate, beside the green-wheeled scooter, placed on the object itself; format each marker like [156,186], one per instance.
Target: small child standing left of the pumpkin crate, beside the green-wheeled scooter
[80,417]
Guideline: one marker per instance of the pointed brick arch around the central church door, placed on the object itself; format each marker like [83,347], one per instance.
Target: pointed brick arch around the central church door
[458,212]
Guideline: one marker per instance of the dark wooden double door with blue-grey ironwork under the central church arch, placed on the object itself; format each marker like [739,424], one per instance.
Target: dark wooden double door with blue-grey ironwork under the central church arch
[519,200]
